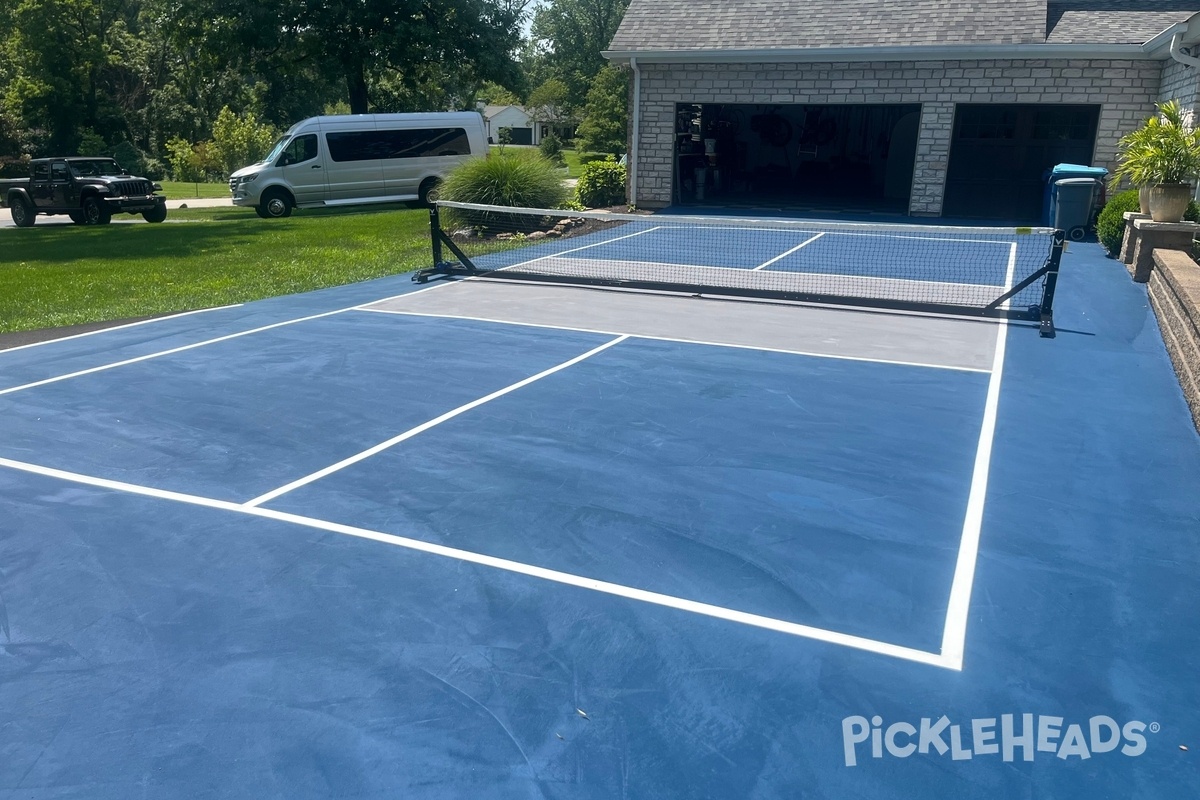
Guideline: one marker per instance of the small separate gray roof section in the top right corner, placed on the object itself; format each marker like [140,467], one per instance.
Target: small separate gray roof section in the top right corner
[1117,22]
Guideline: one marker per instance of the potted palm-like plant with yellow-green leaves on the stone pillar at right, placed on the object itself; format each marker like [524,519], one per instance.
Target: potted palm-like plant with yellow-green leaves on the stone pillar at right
[1162,159]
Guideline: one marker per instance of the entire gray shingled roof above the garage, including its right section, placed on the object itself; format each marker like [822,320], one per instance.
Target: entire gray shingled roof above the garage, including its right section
[765,25]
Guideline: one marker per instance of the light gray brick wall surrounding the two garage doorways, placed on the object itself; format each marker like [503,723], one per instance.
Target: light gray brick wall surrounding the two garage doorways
[1126,92]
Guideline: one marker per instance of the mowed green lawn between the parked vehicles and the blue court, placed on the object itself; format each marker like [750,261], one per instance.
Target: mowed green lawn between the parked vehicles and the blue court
[55,275]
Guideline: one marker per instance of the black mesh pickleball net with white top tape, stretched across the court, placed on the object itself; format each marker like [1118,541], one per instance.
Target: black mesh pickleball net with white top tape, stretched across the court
[901,266]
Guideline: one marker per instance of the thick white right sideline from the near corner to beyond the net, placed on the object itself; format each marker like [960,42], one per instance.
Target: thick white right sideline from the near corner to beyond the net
[958,611]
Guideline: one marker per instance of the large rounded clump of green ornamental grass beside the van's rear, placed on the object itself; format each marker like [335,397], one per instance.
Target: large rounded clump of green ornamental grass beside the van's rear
[521,179]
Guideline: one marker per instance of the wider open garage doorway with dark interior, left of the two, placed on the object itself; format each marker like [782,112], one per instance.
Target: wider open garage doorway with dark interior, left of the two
[818,158]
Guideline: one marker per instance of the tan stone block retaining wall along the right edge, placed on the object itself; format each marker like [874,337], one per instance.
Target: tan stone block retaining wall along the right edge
[1175,297]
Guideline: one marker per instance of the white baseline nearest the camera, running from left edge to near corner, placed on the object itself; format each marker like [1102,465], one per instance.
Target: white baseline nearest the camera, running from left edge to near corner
[567,579]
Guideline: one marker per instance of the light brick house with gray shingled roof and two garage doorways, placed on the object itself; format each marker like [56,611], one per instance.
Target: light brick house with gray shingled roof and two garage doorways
[932,107]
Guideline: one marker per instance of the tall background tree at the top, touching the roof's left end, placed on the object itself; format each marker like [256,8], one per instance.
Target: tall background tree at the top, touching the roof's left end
[572,35]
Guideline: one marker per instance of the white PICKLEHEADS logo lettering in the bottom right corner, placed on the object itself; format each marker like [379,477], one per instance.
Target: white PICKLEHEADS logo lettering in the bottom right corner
[1027,735]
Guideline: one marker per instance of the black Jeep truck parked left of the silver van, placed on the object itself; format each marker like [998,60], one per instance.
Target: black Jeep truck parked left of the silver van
[89,191]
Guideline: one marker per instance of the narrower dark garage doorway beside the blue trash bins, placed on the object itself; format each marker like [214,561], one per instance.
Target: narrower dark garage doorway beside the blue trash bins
[1000,154]
